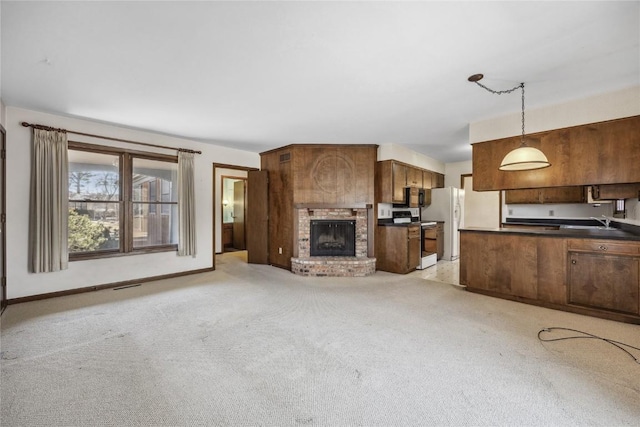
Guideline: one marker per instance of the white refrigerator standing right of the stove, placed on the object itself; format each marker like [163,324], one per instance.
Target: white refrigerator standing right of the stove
[447,205]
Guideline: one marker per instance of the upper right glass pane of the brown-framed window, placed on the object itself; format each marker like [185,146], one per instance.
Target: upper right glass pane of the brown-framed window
[154,181]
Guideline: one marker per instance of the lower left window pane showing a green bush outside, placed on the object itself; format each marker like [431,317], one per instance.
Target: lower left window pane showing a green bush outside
[94,226]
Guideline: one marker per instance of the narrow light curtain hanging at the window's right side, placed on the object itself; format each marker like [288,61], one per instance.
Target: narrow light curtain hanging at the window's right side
[186,205]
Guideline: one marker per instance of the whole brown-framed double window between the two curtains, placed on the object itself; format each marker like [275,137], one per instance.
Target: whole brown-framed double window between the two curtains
[120,202]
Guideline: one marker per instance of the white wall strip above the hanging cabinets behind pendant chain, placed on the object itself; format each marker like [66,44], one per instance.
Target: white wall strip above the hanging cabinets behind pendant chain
[608,106]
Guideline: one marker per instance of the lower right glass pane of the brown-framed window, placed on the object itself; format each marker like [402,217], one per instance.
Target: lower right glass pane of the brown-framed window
[155,224]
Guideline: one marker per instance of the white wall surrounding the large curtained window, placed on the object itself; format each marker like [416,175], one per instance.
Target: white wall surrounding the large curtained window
[21,283]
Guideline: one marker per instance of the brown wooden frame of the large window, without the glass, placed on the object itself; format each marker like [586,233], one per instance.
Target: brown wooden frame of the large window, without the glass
[125,203]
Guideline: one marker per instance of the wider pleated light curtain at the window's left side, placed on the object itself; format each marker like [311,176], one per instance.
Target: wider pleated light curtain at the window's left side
[49,208]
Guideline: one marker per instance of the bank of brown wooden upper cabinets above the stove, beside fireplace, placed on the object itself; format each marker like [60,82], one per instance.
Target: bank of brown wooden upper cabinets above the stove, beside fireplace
[392,177]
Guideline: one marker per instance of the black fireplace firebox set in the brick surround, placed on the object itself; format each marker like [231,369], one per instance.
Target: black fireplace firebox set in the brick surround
[332,238]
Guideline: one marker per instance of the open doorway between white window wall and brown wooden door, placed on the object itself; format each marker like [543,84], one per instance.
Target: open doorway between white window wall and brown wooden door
[234,209]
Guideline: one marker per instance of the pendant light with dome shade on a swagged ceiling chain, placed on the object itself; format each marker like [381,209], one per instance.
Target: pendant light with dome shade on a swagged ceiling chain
[523,157]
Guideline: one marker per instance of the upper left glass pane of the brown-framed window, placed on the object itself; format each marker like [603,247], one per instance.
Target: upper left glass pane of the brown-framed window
[94,176]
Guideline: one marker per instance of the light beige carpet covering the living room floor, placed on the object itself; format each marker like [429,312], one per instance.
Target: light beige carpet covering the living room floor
[251,345]
